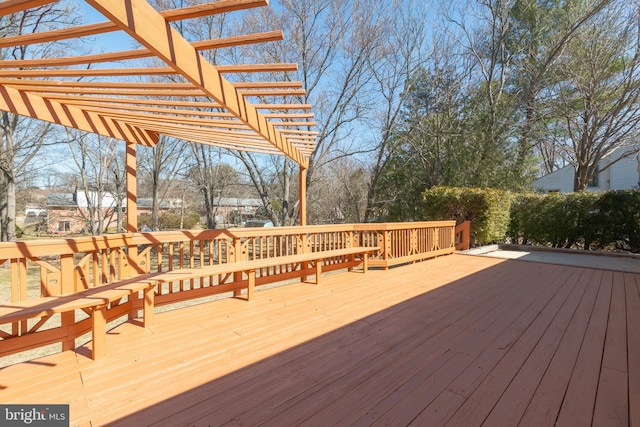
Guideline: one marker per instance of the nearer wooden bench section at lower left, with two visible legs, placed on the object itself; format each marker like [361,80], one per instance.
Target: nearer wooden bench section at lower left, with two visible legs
[93,301]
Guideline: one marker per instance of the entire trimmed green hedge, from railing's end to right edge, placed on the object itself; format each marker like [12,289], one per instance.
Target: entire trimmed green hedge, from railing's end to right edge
[609,220]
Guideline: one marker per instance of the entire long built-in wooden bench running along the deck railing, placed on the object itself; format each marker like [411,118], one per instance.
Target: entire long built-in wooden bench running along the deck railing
[95,301]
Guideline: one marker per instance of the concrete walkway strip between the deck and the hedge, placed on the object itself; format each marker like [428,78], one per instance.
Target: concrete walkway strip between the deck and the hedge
[600,260]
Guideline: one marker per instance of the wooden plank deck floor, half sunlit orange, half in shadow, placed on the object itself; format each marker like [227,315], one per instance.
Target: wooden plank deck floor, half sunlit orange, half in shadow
[459,340]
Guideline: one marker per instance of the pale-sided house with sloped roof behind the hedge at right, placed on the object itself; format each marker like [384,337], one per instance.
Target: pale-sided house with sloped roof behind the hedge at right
[622,175]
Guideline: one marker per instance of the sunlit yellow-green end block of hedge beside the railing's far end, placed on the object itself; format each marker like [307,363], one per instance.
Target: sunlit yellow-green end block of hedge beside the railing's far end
[487,209]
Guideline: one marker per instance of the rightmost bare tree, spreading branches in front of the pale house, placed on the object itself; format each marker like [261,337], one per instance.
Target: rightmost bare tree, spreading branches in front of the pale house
[598,96]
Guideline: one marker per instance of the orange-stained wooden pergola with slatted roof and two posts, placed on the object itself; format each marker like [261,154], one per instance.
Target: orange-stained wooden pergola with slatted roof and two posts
[91,94]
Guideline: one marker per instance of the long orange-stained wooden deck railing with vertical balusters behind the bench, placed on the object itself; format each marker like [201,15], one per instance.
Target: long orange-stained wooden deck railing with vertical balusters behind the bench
[52,267]
